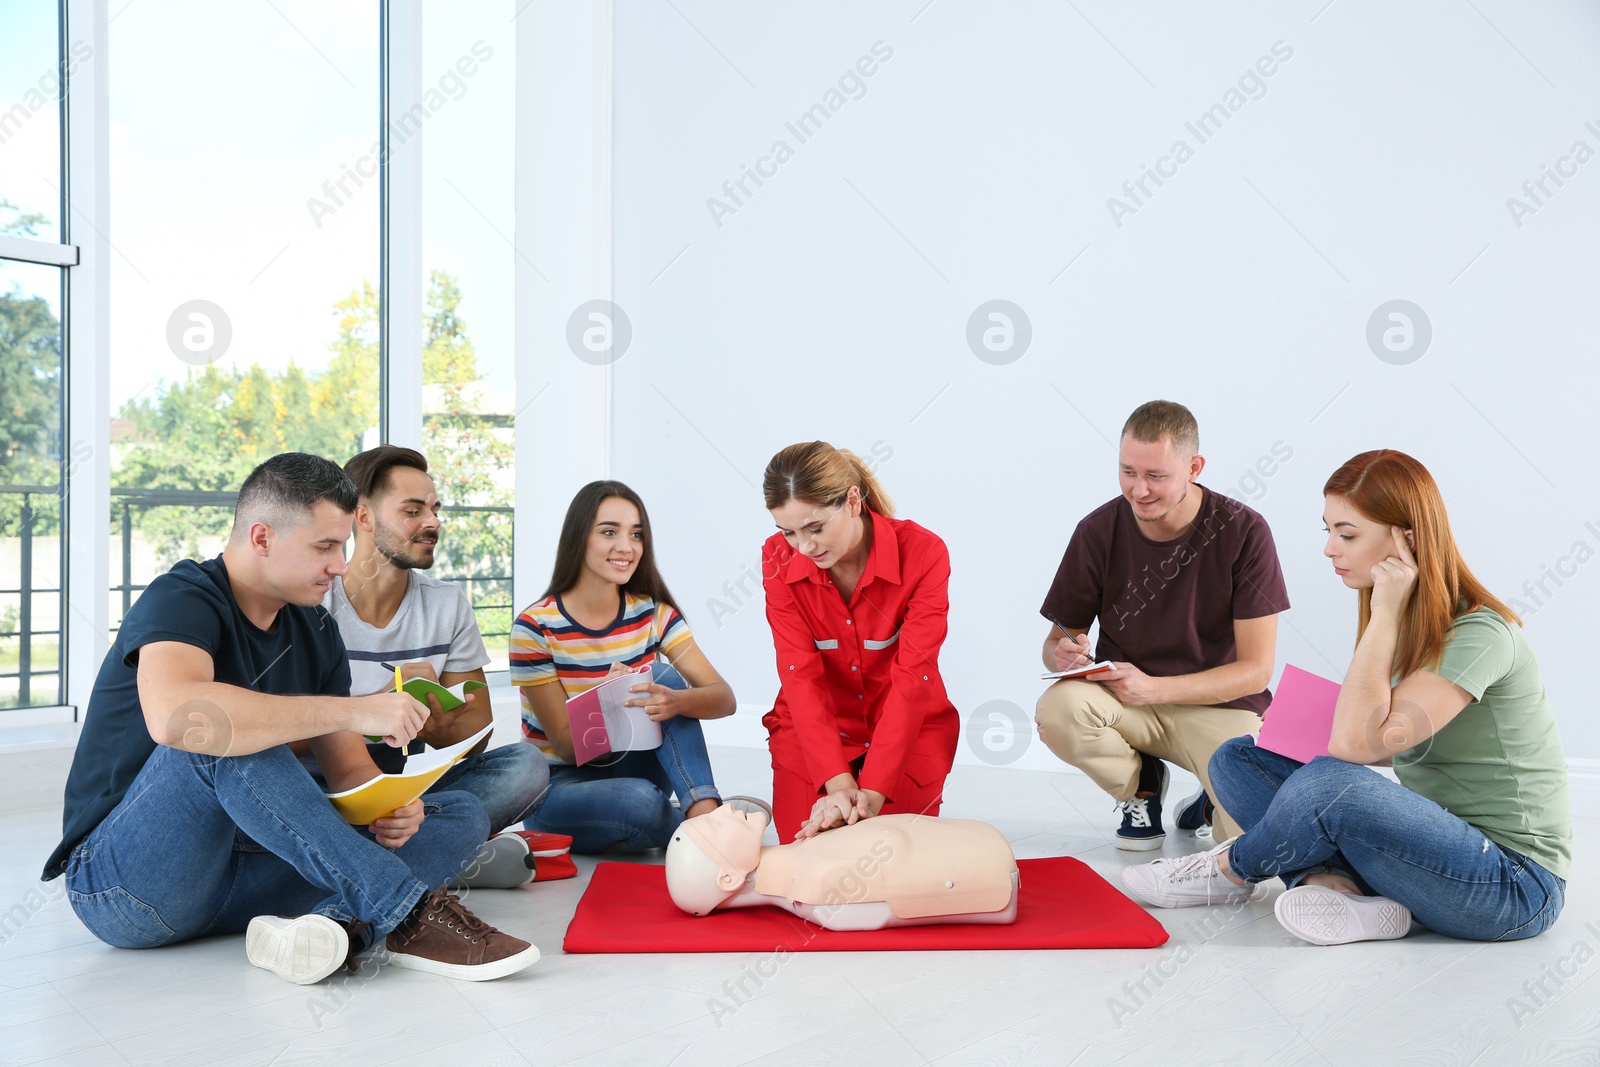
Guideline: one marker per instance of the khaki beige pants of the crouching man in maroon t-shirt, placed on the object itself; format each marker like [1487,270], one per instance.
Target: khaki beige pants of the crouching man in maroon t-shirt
[1092,730]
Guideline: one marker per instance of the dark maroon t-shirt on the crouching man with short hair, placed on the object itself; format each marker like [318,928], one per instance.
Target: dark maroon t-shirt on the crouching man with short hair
[1169,607]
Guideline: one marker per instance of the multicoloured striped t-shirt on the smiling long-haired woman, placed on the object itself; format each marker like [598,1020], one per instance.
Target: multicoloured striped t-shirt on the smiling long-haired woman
[548,645]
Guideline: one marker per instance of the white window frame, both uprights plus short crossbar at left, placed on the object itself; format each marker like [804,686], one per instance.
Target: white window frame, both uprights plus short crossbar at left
[84,257]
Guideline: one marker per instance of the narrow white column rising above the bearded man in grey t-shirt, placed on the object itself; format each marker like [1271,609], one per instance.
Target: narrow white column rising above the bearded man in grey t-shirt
[402,225]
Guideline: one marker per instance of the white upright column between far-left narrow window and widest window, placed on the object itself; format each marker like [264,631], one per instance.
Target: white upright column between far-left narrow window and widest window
[87,340]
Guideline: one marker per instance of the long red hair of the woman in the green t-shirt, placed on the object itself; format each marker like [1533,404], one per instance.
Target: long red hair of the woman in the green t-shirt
[1394,490]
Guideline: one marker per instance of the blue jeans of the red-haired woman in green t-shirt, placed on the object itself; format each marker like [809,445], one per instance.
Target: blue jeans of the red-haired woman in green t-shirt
[1329,815]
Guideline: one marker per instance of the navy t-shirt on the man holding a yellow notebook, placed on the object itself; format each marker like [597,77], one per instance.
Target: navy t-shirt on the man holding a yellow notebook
[193,604]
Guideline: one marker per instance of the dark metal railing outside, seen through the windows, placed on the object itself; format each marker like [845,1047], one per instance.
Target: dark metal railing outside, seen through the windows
[495,588]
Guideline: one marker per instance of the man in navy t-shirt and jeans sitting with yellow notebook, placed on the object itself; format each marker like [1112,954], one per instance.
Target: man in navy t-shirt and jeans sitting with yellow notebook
[186,813]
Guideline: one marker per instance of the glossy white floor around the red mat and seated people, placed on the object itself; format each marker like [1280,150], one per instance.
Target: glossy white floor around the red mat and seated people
[1226,989]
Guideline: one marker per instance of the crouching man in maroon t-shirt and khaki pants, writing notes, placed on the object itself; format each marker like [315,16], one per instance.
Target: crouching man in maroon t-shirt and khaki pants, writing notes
[1186,588]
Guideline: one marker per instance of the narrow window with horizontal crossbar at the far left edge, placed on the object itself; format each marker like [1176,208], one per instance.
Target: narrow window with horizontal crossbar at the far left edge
[33,458]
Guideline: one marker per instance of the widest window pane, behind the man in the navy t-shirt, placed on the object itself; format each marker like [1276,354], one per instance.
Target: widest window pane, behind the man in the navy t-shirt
[246,198]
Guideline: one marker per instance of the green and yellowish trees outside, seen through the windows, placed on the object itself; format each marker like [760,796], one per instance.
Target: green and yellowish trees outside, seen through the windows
[209,430]
